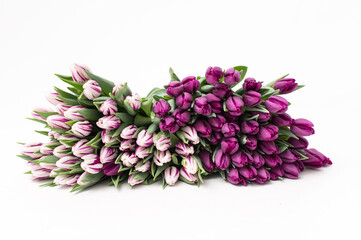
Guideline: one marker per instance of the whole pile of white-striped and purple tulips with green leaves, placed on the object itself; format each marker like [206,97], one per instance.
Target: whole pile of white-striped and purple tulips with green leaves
[185,131]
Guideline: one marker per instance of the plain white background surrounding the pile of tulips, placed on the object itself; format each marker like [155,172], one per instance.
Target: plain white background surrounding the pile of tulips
[318,42]
